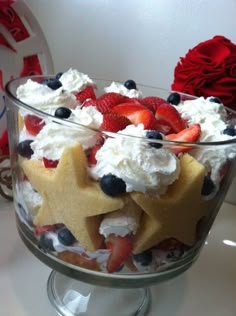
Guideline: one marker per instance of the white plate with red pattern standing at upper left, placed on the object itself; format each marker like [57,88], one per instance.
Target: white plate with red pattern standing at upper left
[20,38]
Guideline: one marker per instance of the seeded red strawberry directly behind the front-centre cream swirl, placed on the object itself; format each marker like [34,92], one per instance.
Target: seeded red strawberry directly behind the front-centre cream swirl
[114,122]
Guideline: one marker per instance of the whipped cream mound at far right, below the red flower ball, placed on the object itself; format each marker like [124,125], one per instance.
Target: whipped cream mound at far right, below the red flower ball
[212,118]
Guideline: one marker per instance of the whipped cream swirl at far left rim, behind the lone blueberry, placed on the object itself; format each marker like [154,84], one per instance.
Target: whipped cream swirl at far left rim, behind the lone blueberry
[42,97]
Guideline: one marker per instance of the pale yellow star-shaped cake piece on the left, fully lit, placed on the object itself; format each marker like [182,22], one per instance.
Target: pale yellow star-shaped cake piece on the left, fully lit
[71,197]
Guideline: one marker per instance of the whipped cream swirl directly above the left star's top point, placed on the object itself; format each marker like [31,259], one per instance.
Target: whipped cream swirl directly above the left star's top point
[51,141]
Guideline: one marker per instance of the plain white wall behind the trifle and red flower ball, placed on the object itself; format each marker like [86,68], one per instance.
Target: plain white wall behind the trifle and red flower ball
[138,39]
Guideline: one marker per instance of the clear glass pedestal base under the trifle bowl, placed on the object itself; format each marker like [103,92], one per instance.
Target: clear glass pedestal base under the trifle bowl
[71,298]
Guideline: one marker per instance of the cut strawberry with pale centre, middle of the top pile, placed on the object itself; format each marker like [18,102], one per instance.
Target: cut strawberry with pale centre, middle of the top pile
[136,114]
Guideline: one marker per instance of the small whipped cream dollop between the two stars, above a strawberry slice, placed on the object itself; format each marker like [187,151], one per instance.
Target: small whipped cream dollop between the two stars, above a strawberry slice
[118,223]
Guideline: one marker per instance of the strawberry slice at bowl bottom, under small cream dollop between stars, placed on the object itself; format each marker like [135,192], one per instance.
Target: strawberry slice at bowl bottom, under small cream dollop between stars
[121,248]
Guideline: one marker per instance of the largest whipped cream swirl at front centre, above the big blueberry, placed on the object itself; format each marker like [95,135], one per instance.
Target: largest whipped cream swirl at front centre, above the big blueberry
[142,167]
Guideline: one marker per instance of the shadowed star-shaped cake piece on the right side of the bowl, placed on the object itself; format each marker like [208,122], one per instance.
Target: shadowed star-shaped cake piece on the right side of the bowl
[176,213]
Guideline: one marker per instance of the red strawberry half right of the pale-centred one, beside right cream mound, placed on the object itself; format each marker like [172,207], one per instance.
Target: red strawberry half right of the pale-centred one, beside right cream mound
[168,113]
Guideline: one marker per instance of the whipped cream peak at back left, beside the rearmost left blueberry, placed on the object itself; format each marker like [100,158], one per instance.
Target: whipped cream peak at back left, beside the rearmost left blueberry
[75,81]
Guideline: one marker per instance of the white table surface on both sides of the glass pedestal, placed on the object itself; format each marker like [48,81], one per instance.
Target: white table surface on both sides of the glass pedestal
[207,289]
